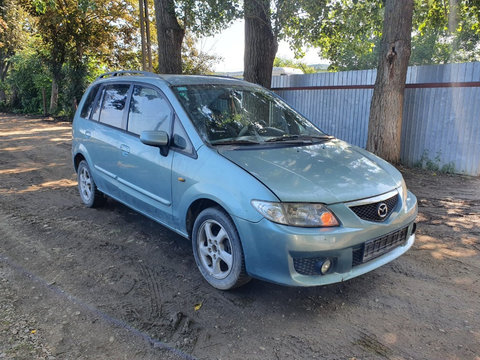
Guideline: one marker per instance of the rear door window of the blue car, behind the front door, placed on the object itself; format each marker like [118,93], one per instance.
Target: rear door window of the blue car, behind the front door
[114,100]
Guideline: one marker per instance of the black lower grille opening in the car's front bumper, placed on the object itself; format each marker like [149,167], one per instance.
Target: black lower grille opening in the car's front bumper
[379,246]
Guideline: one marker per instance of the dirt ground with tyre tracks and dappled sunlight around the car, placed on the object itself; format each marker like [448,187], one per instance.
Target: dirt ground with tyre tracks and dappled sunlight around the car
[78,283]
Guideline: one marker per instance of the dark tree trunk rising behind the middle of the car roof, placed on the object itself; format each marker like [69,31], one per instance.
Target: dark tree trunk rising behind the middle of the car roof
[170,37]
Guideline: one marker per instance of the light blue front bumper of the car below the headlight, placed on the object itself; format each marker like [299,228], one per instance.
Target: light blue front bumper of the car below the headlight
[271,249]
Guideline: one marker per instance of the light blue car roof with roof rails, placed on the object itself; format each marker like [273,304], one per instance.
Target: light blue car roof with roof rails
[174,80]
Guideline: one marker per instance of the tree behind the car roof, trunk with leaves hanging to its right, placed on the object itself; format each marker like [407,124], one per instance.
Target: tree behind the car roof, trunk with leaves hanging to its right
[176,17]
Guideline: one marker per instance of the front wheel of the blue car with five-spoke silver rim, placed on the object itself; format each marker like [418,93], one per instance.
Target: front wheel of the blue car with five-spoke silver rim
[217,250]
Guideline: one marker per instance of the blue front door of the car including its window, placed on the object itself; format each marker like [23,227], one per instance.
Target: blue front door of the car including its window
[142,170]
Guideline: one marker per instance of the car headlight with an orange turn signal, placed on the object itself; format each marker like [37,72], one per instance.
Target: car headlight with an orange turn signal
[296,214]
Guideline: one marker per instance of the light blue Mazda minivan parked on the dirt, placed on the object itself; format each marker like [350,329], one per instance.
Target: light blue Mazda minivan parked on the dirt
[260,191]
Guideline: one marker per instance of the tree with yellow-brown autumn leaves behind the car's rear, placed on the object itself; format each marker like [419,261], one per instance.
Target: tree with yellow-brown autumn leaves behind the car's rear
[72,30]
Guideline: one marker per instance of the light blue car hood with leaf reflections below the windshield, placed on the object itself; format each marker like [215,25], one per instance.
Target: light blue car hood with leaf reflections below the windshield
[329,172]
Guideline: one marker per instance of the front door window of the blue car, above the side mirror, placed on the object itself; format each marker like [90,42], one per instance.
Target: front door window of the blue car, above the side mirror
[149,110]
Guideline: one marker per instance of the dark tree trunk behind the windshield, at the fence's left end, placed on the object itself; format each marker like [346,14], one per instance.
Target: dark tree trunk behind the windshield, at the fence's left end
[260,43]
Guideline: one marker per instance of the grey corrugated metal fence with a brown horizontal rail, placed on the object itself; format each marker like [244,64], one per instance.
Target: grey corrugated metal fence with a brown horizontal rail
[441,116]
